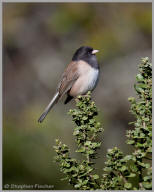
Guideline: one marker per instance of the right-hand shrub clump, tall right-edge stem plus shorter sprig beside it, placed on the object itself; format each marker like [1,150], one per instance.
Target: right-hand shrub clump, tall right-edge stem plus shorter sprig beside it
[122,170]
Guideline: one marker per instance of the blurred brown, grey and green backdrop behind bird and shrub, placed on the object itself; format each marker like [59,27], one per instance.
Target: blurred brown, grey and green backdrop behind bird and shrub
[39,40]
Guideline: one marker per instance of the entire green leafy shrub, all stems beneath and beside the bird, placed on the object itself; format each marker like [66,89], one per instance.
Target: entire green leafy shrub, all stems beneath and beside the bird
[119,169]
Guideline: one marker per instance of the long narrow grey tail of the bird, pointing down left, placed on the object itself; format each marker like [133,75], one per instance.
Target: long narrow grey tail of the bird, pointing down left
[48,108]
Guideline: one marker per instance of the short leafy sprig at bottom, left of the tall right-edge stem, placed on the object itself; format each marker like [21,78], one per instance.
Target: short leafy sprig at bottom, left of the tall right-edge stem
[119,171]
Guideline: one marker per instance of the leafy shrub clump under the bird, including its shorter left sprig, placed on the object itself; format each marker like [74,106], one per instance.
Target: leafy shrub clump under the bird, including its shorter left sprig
[81,174]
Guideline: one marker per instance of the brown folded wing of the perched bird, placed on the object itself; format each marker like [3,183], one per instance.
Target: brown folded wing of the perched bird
[69,76]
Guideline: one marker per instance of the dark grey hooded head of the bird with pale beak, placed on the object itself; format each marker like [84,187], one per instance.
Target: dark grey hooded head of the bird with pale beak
[86,54]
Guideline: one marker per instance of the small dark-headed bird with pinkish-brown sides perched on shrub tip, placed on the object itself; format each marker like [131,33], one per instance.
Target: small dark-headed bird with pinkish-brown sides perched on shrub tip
[80,76]
